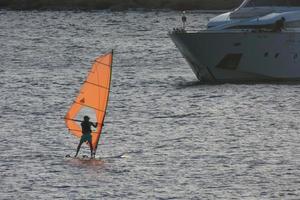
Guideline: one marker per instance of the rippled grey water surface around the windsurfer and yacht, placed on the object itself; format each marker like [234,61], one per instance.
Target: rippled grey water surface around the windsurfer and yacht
[179,139]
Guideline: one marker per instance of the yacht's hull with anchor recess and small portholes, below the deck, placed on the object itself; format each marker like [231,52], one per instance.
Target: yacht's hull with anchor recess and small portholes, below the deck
[217,56]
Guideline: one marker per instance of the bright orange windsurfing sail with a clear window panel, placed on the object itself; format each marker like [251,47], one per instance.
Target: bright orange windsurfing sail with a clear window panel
[92,99]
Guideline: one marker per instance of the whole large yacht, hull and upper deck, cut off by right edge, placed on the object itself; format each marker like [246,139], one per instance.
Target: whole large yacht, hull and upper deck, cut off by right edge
[258,41]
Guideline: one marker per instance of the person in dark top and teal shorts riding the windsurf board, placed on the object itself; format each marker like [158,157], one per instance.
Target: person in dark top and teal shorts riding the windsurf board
[86,134]
